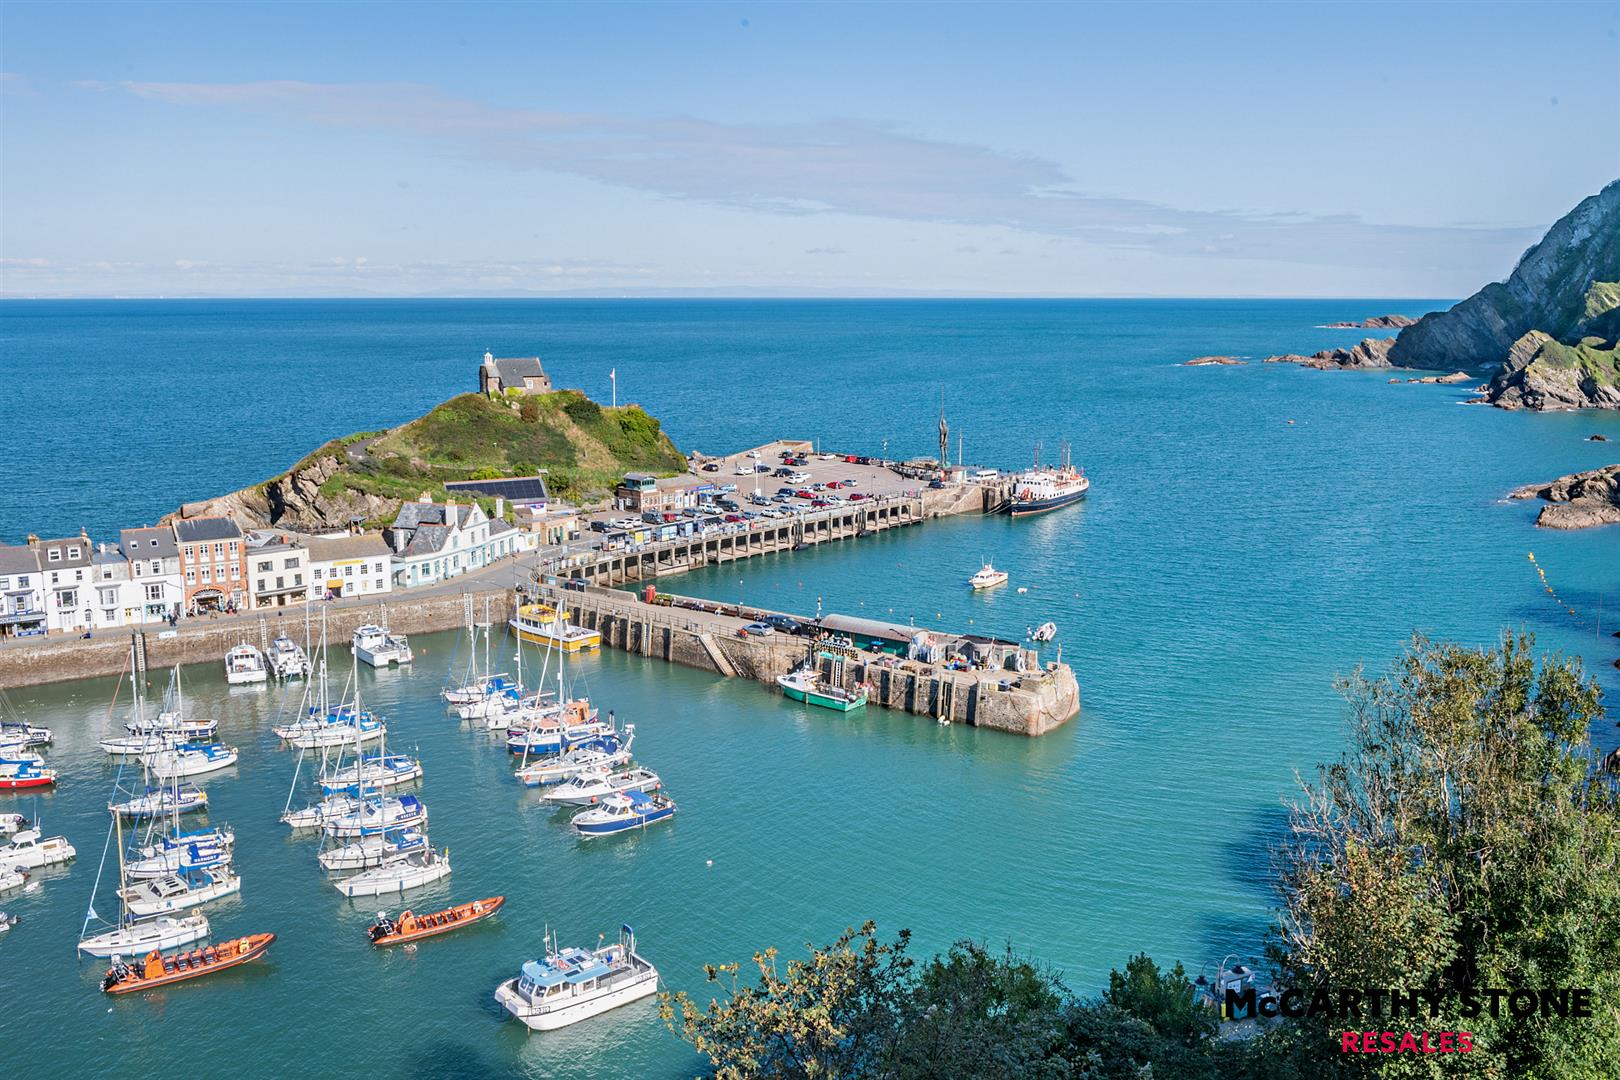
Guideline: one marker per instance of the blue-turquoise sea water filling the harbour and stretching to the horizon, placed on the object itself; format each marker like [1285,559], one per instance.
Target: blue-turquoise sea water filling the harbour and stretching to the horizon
[1227,566]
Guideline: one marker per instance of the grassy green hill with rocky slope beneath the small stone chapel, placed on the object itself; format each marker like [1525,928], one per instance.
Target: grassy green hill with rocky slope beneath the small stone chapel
[582,446]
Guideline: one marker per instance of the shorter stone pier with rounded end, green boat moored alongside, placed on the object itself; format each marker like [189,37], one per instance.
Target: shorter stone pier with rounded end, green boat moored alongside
[1023,695]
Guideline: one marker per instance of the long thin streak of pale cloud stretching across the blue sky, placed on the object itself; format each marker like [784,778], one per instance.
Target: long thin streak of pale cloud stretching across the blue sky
[848,168]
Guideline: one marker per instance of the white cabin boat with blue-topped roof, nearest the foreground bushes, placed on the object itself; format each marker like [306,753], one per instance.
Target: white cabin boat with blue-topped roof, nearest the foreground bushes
[571,985]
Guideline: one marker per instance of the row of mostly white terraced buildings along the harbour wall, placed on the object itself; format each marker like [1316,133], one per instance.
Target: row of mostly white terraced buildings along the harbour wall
[210,564]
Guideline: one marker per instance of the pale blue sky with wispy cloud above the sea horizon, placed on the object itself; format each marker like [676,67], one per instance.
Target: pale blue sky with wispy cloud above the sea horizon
[508,150]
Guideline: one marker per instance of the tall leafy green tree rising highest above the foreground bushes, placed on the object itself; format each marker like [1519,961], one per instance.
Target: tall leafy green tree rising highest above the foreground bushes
[1465,841]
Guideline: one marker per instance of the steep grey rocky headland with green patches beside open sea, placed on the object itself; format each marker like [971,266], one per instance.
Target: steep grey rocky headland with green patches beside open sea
[1566,292]
